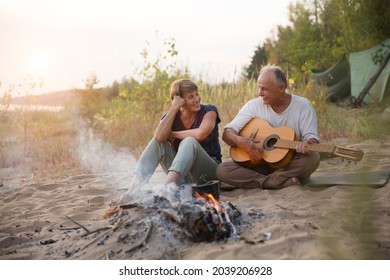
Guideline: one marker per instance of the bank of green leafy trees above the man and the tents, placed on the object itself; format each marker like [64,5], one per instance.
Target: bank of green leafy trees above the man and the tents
[321,31]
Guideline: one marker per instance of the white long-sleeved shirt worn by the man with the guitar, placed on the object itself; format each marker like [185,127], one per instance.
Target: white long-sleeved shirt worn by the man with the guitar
[299,115]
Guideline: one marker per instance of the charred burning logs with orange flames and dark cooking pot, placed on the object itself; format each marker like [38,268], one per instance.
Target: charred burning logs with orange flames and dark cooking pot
[203,217]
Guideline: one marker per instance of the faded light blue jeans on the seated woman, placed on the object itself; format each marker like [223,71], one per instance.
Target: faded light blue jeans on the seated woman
[190,160]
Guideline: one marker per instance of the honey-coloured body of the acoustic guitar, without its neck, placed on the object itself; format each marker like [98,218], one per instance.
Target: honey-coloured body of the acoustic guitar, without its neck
[259,129]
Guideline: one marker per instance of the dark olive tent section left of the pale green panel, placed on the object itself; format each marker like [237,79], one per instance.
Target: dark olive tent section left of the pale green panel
[336,79]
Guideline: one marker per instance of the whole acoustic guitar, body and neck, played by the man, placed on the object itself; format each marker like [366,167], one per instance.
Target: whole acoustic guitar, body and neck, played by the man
[279,145]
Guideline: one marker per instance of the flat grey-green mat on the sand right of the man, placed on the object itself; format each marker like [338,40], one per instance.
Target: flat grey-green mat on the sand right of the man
[374,179]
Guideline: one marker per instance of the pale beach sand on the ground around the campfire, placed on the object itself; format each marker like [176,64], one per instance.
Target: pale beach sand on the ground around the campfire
[49,219]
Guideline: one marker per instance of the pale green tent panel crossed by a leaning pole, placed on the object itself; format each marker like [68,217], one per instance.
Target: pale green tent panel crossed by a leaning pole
[362,70]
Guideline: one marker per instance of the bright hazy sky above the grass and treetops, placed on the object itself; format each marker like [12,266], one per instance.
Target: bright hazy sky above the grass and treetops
[62,43]
